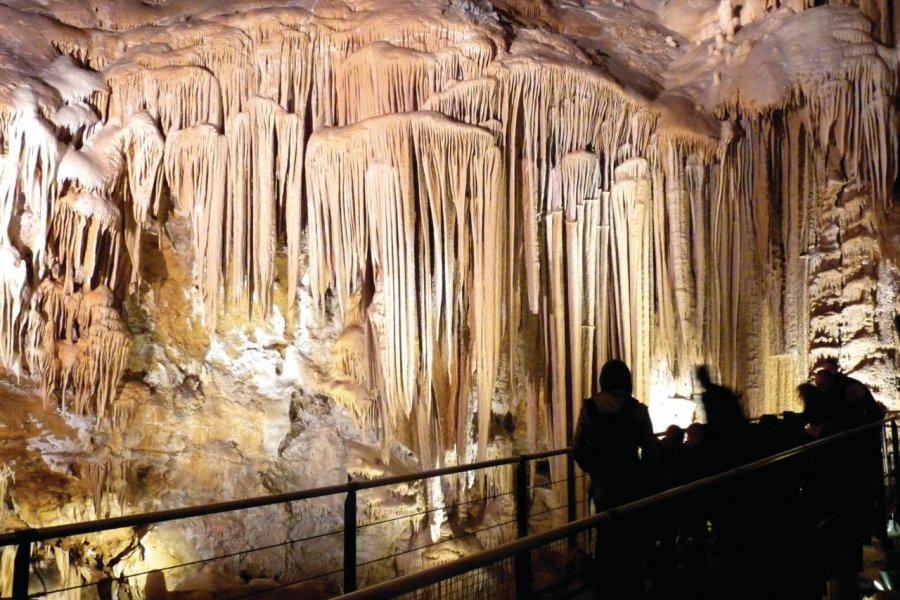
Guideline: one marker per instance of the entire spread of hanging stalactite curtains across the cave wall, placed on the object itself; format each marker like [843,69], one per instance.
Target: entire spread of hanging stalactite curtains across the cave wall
[541,220]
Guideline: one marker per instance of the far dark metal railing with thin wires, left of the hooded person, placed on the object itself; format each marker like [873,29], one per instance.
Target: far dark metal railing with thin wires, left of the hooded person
[344,575]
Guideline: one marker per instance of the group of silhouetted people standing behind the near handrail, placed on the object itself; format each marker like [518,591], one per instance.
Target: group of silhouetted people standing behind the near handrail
[615,444]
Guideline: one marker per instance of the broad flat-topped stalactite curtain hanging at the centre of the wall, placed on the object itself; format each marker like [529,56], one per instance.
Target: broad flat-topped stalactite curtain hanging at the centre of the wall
[375,208]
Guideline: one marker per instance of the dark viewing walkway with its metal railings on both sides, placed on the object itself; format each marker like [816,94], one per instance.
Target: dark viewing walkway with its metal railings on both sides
[791,524]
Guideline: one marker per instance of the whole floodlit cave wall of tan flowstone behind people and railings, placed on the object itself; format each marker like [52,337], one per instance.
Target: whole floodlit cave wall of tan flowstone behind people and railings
[252,247]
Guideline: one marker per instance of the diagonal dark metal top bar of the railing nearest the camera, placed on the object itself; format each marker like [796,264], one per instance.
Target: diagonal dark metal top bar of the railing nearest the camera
[521,546]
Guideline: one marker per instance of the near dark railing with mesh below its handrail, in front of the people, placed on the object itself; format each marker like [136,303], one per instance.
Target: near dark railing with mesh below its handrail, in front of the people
[805,513]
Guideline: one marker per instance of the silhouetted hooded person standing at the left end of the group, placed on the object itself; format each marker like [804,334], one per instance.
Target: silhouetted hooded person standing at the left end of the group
[612,427]
